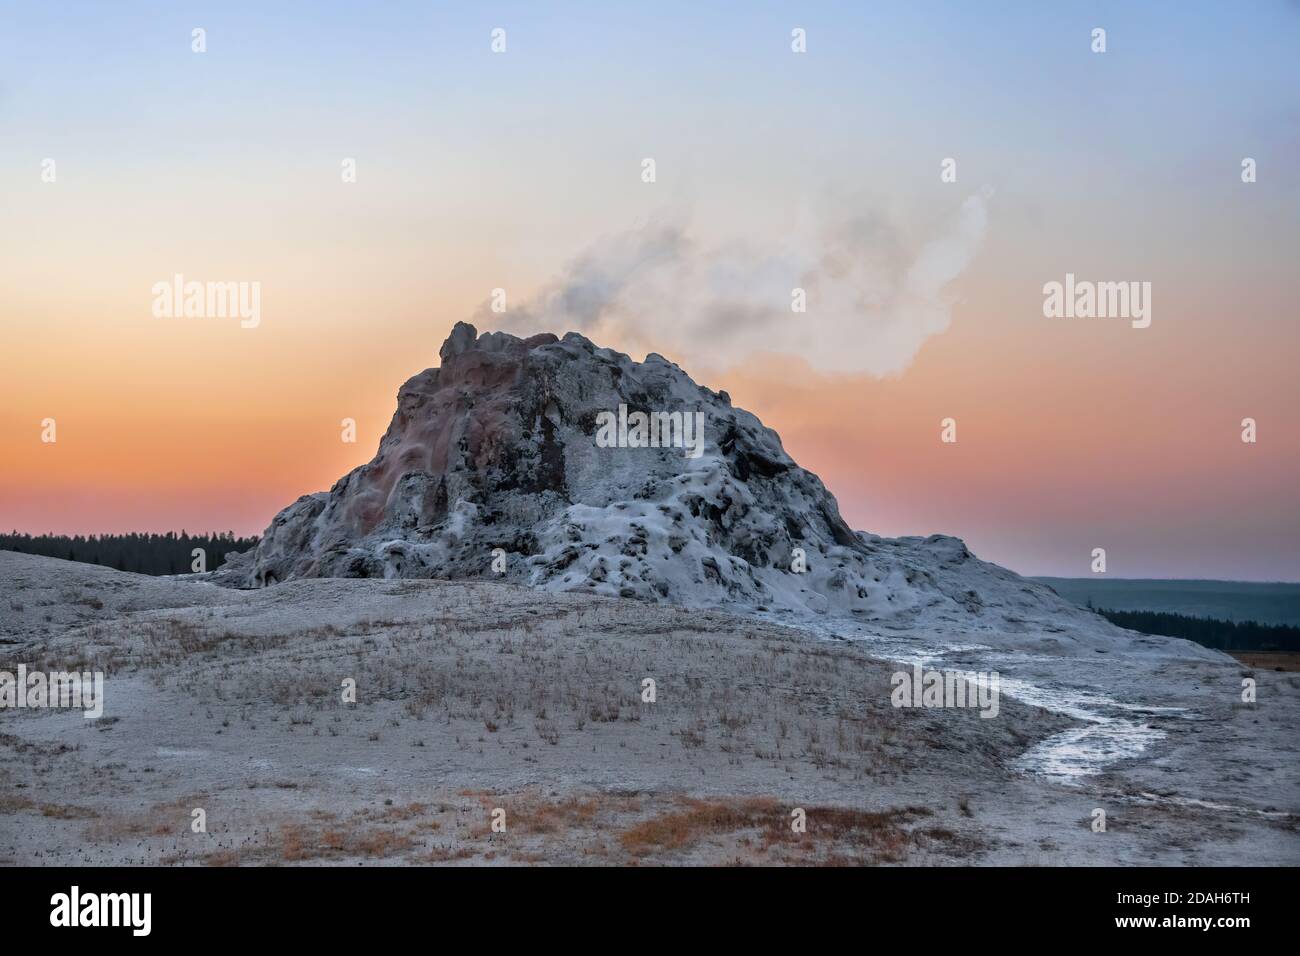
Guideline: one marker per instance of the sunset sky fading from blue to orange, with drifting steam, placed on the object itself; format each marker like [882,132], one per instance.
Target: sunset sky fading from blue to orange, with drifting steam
[127,158]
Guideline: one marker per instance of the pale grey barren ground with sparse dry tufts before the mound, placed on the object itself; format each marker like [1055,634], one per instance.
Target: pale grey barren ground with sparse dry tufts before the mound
[475,697]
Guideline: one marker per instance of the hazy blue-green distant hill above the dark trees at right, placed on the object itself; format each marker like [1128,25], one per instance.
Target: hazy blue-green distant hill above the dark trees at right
[1237,602]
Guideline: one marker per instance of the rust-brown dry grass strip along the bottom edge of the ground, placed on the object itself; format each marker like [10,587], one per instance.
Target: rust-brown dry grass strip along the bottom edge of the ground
[541,829]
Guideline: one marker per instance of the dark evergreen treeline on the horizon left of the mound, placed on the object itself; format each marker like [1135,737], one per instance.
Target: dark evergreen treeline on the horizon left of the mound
[150,555]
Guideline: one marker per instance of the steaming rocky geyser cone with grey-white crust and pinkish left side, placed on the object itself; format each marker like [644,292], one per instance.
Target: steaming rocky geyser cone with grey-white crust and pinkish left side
[497,449]
